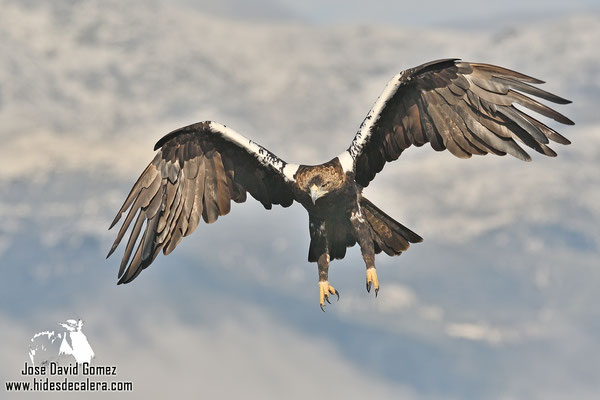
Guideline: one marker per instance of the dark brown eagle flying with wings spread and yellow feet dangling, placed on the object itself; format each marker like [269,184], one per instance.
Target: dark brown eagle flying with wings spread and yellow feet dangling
[465,107]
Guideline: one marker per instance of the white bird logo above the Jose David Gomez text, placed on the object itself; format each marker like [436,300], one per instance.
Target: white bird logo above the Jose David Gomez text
[65,346]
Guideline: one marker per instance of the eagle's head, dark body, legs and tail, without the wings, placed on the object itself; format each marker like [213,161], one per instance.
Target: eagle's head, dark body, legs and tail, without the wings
[343,218]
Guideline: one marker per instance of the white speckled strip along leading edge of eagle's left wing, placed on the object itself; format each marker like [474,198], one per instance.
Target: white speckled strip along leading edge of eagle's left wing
[264,156]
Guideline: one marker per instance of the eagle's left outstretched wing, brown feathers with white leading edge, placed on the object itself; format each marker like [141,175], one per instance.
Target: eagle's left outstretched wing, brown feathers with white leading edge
[198,170]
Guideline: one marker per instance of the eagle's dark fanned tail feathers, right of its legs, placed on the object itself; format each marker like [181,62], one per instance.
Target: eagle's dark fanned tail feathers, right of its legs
[388,234]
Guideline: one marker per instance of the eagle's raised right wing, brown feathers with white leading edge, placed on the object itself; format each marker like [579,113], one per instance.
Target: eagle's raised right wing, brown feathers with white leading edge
[467,108]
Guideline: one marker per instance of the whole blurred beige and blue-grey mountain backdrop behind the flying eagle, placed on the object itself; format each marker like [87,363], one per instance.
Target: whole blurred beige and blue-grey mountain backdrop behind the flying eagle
[499,302]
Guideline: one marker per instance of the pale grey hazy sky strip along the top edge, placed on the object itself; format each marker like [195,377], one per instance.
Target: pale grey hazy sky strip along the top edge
[463,13]
